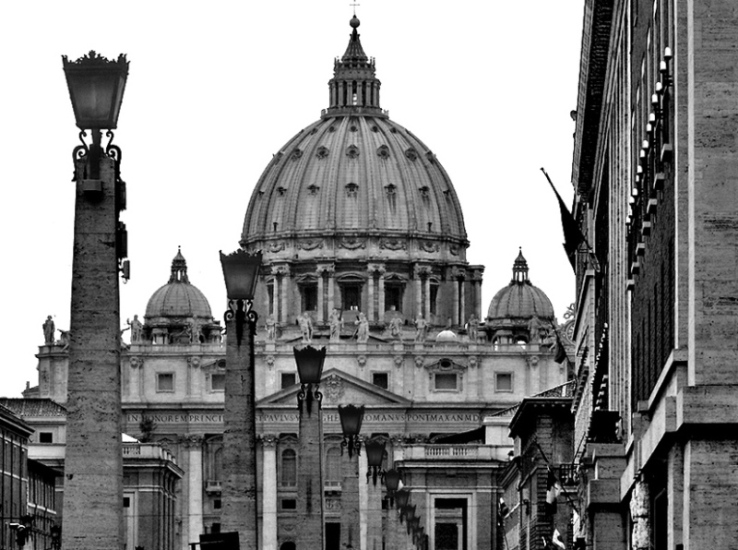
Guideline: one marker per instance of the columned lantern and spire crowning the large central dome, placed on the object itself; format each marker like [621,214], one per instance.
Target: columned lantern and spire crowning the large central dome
[354,88]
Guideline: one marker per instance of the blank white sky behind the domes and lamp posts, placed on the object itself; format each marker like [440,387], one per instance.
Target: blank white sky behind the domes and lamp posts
[215,89]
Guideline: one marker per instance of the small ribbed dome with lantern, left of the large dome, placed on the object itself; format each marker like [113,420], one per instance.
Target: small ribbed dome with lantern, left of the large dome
[178,298]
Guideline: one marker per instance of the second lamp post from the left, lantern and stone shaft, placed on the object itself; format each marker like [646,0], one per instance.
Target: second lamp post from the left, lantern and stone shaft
[241,271]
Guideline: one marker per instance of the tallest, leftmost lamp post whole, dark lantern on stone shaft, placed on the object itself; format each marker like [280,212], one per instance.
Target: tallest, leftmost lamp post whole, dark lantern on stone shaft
[93,469]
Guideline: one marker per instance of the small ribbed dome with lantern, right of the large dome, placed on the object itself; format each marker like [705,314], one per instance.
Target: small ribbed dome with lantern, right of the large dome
[519,301]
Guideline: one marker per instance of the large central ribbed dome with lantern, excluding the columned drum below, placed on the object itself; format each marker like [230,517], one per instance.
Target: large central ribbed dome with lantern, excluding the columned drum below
[354,176]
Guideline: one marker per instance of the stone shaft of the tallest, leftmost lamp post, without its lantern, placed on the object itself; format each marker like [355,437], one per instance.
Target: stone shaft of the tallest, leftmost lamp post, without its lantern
[93,471]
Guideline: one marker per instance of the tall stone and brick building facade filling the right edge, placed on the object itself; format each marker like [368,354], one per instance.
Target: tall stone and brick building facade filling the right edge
[655,336]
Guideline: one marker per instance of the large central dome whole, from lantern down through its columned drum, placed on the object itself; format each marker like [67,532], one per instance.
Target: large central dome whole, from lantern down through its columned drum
[355,213]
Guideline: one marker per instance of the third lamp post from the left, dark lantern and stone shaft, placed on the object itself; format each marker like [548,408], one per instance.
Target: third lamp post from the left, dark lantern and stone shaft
[310,497]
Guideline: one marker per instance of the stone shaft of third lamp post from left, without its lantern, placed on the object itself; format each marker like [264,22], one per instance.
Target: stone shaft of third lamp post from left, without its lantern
[310,505]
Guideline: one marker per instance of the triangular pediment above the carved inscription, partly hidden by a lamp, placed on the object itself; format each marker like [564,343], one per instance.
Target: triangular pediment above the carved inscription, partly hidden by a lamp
[339,388]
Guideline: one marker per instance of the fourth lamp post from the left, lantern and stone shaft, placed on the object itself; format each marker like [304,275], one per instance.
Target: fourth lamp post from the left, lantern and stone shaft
[351,419]
